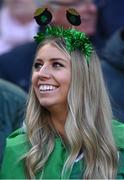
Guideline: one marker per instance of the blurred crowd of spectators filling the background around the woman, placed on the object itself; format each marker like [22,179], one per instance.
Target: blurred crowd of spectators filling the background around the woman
[102,21]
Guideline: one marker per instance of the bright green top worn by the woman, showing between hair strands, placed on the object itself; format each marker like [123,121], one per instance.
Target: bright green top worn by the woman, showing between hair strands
[17,146]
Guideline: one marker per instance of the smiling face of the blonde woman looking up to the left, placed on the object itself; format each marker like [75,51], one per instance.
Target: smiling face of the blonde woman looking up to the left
[51,77]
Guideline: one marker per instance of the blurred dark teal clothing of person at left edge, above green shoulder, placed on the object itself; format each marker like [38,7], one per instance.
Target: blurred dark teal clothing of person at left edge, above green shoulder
[12,105]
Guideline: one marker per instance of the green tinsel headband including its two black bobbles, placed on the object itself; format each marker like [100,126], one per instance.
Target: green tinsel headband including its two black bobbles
[74,39]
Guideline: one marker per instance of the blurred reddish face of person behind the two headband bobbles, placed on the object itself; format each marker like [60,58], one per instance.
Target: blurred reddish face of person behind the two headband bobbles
[86,8]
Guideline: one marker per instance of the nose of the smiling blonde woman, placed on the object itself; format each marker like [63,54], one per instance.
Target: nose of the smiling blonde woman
[44,72]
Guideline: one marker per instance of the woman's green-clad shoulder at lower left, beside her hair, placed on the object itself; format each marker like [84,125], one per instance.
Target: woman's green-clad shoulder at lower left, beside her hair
[16,147]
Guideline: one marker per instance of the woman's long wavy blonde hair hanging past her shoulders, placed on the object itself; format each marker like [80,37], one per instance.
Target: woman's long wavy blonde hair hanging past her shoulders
[89,116]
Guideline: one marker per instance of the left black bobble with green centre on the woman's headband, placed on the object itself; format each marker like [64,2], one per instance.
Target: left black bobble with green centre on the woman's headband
[42,16]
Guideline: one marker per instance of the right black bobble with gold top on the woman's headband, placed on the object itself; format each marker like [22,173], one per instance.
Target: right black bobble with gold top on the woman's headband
[73,17]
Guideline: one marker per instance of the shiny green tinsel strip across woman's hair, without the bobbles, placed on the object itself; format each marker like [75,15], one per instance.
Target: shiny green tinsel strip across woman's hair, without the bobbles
[74,39]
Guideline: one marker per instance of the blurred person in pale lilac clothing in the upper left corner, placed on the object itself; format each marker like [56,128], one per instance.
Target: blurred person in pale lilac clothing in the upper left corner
[16,23]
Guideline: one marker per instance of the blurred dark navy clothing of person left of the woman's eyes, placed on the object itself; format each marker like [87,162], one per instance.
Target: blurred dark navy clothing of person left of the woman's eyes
[15,66]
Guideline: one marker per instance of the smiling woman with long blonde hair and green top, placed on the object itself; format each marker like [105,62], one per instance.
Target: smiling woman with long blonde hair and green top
[68,122]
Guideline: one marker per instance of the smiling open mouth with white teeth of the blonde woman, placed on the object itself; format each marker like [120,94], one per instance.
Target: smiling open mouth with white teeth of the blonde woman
[47,88]
